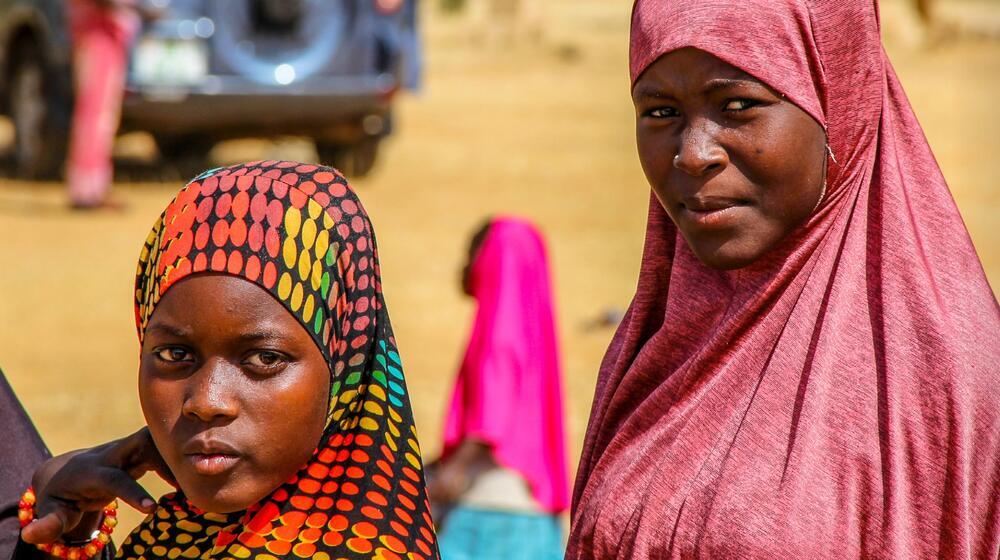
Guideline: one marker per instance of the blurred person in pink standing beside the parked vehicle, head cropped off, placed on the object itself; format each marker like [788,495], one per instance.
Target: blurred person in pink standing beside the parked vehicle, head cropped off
[102,31]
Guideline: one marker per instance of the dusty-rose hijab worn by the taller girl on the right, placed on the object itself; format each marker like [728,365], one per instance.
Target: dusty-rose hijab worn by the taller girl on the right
[839,397]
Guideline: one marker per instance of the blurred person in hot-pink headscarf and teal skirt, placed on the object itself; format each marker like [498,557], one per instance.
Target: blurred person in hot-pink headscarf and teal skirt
[503,469]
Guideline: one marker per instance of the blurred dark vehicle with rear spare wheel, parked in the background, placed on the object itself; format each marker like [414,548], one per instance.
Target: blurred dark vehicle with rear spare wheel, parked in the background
[209,70]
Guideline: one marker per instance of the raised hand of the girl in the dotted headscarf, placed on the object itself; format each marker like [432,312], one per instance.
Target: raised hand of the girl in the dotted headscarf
[73,488]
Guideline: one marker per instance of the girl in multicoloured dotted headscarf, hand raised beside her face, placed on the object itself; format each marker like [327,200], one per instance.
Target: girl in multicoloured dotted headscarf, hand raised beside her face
[269,379]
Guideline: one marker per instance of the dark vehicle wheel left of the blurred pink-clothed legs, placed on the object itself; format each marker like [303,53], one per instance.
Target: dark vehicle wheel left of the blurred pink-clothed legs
[40,108]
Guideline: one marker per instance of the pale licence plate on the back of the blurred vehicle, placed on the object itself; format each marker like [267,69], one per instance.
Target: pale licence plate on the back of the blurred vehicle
[170,62]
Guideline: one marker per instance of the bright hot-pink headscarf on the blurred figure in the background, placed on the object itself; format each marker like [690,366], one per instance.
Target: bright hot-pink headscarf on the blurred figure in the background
[508,392]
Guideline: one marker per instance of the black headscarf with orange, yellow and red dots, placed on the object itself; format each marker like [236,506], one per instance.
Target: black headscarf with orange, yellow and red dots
[300,232]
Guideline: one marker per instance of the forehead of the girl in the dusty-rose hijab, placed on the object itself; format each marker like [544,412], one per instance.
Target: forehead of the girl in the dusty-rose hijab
[686,69]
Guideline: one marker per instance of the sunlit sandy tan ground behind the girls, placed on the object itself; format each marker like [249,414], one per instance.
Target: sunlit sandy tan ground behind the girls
[542,130]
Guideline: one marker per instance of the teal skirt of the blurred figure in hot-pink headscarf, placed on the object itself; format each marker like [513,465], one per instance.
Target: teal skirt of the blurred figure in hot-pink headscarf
[479,534]
